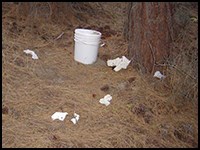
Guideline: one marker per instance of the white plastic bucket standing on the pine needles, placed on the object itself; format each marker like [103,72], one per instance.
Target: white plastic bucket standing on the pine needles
[86,45]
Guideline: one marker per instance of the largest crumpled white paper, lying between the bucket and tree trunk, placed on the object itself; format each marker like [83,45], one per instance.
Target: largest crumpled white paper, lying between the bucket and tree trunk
[119,63]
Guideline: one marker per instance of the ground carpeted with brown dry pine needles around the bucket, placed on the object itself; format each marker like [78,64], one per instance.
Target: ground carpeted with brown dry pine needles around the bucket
[140,114]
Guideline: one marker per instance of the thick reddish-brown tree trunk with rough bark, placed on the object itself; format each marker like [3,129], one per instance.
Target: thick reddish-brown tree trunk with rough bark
[150,29]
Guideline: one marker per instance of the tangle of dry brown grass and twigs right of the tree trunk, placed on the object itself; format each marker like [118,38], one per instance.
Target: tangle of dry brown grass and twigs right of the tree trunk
[181,68]
